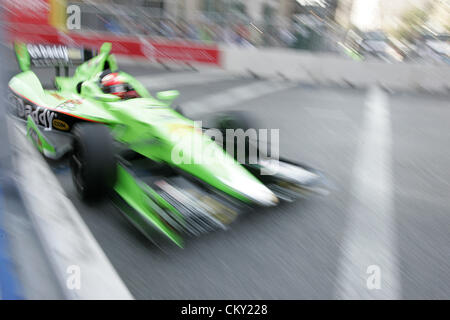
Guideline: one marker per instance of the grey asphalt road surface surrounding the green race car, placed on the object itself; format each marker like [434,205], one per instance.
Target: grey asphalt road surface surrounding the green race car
[301,250]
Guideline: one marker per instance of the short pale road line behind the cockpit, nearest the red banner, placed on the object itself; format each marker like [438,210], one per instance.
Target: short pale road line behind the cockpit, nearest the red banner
[172,80]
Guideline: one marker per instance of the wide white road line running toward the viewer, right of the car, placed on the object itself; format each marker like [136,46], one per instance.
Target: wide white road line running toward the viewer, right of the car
[369,238]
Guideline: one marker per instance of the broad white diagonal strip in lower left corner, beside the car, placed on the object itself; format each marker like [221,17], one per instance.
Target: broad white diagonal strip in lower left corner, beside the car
[66,238]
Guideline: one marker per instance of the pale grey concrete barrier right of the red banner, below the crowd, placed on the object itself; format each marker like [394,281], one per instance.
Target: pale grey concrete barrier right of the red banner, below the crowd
[325,69]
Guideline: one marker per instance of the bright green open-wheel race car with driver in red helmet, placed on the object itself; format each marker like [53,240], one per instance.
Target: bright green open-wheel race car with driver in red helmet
[168,177]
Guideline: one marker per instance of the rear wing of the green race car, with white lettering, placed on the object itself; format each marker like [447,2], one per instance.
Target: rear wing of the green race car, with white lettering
[51,55]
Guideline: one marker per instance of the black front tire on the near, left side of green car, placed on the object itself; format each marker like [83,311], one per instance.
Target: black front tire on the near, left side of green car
[93,162]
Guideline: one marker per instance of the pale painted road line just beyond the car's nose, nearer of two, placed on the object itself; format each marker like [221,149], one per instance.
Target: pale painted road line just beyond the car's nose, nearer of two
[234,96]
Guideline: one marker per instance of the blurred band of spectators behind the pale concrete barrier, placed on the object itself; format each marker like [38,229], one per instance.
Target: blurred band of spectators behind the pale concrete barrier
[306,31]
